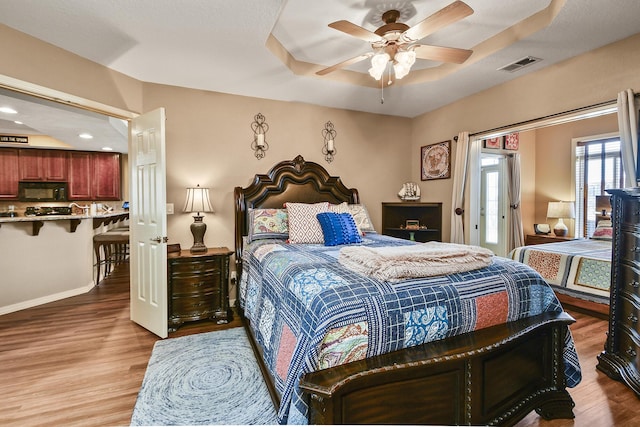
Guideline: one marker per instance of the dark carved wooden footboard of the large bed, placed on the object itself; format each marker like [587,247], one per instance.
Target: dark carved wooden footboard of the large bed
[493,376]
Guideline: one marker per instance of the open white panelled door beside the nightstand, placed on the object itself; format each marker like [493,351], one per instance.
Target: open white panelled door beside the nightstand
[148,222]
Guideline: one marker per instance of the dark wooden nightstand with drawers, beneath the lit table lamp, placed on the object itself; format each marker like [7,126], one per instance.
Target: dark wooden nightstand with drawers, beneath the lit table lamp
[198,286]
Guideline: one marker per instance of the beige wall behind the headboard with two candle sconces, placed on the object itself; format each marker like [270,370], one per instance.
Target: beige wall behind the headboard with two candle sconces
[208,143]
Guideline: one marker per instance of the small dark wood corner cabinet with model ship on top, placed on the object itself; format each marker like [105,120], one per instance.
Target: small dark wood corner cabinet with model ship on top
[427,215]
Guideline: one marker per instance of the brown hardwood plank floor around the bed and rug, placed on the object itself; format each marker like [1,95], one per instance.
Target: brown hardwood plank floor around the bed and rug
[80,362]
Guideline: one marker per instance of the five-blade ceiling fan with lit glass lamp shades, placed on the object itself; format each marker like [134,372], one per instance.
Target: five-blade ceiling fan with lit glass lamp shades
[396,43]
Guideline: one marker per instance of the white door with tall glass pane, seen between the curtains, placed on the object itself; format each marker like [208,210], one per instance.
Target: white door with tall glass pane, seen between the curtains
[493,204]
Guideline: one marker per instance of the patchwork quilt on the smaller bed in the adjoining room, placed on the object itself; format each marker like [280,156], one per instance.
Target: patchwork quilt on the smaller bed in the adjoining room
[580,268]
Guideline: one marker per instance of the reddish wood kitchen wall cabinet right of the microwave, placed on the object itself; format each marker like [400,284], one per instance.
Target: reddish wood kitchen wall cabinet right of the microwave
[94,176]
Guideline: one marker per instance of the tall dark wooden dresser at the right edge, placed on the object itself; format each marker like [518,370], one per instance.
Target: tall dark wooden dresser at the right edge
[621,358]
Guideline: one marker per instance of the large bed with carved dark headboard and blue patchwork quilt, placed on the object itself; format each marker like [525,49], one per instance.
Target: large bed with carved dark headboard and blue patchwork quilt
[329,366]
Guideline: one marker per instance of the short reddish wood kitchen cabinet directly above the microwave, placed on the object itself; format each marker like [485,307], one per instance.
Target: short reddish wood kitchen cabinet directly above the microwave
[43,165]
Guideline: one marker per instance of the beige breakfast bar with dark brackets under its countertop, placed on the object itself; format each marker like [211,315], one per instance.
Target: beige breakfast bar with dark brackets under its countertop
[49,257]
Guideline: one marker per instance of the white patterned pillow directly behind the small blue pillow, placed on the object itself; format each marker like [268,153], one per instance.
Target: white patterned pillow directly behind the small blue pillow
[304,226]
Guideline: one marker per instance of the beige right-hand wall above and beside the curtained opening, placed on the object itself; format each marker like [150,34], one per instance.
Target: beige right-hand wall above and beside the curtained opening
[587,79]
